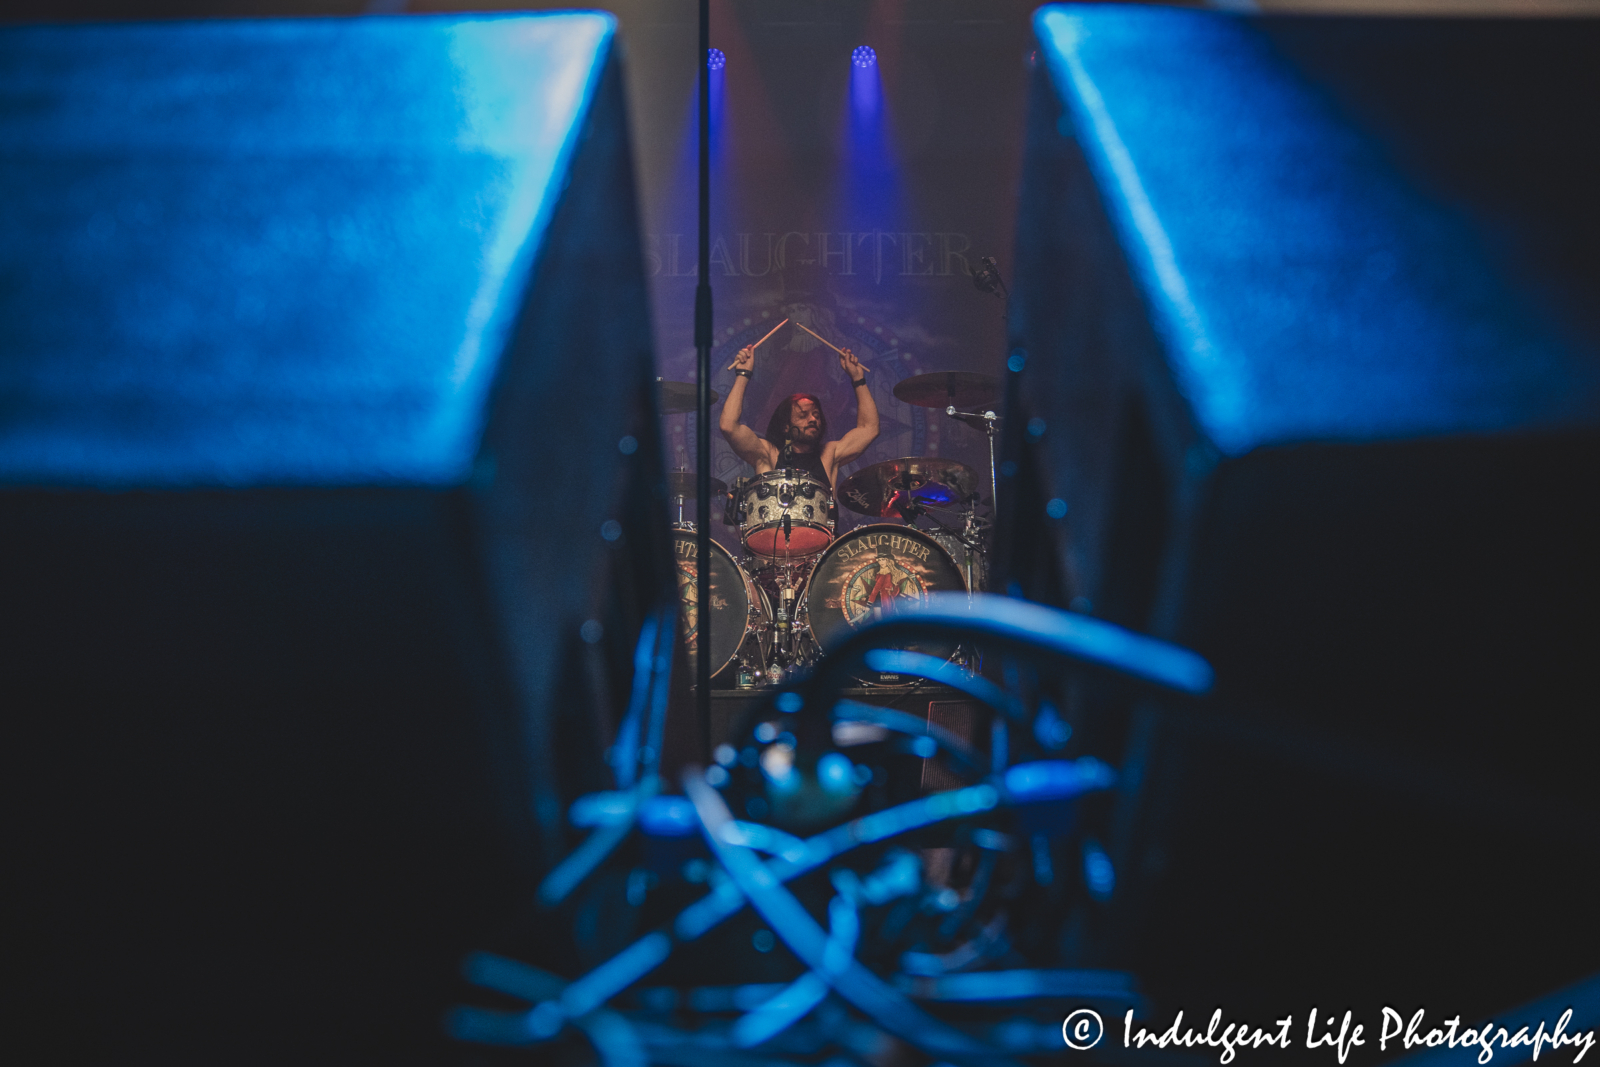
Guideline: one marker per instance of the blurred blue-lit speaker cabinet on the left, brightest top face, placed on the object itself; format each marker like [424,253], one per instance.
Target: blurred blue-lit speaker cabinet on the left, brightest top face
[330,508]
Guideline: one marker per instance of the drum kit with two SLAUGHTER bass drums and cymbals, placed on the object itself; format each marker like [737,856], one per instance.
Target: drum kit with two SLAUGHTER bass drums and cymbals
[799,585]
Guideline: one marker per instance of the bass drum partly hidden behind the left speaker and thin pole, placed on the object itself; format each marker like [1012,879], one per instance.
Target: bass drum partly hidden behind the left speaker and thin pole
[740,612]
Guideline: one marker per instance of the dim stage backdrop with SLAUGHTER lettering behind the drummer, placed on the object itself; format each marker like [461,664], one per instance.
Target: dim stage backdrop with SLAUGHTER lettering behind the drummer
[857,201]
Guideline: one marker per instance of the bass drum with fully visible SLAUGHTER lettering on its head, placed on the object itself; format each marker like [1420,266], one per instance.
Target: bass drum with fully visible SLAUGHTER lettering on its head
[871,570]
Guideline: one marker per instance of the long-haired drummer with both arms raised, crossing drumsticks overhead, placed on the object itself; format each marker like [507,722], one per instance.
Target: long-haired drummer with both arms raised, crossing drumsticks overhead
[798,433]
